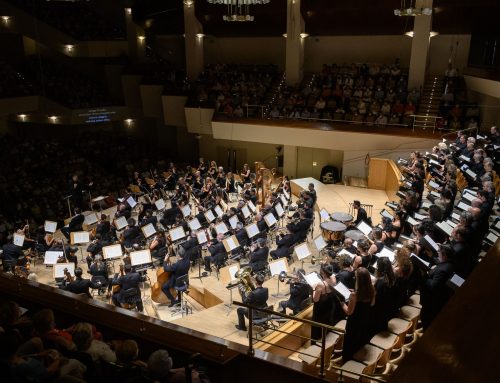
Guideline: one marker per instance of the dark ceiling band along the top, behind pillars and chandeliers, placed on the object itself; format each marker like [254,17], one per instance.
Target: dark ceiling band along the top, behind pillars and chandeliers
[322,17]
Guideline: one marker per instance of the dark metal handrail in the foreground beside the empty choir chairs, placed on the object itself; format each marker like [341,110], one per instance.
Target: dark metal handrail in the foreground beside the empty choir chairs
[324,329]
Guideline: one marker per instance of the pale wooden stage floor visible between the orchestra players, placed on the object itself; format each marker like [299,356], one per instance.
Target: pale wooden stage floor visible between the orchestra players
[219,320]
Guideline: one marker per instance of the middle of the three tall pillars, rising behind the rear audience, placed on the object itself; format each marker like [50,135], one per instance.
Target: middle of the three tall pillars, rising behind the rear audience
[295,40]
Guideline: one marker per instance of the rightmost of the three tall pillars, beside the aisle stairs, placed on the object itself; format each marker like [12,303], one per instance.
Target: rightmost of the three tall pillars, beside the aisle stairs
[420,46]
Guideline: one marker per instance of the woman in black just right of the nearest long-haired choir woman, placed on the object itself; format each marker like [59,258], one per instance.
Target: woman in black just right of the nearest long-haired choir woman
[385,306]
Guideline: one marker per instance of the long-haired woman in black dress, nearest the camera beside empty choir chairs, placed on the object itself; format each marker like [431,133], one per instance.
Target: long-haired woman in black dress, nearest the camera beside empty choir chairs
[357,330]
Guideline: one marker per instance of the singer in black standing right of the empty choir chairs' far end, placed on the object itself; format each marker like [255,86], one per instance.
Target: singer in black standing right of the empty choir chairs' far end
[434,291]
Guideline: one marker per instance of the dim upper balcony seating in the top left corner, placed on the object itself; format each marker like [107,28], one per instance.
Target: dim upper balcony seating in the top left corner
[74,18]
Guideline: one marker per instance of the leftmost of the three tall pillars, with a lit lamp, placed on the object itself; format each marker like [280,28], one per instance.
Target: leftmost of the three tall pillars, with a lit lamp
[193,33]
